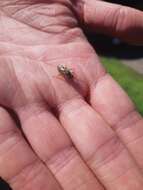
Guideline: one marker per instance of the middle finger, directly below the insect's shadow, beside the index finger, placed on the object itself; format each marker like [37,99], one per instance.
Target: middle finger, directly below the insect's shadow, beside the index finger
[100,147]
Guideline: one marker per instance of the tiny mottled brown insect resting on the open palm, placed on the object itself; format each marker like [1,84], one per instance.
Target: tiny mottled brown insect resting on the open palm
[65,72]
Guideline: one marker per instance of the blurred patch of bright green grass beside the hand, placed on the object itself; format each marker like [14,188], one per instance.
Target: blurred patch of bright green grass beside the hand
[131,81]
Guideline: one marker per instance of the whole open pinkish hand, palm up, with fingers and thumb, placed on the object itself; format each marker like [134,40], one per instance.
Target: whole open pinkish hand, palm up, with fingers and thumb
[85,134]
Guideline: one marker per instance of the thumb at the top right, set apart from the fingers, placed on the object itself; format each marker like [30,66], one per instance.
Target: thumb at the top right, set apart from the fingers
[116,20]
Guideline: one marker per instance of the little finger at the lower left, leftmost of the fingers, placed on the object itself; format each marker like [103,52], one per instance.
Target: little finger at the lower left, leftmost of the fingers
[19,166]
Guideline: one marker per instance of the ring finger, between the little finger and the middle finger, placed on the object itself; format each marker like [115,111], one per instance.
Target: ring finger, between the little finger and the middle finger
[54,147]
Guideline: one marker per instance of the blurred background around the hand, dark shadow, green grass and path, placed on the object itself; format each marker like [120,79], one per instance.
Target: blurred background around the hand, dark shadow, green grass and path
[124,62]
